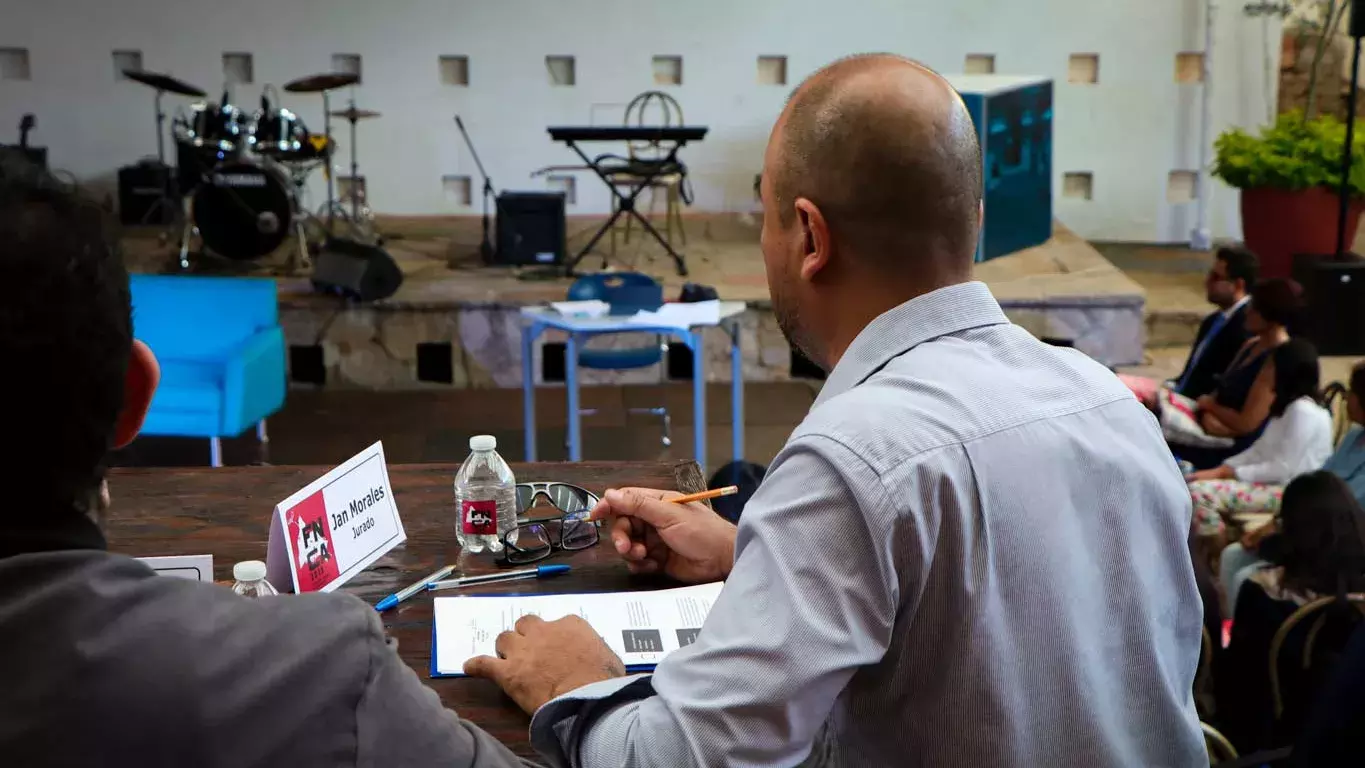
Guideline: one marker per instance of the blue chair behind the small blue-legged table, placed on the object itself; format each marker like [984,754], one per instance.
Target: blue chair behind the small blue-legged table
[626,293]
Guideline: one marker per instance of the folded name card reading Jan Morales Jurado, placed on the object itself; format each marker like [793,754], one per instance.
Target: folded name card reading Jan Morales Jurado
[336,527]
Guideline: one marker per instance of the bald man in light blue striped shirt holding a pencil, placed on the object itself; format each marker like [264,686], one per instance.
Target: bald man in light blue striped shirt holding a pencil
[974,549]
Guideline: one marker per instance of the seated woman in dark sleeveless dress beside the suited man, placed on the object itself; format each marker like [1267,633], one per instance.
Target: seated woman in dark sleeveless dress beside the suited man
[1226,422]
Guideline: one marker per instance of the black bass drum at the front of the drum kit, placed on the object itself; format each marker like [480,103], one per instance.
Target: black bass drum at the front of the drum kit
[244,211]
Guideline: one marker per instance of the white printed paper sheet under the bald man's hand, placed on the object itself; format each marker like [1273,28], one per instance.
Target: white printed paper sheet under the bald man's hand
[640,627]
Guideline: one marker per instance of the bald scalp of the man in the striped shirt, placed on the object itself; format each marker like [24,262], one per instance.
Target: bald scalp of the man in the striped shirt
[887,149]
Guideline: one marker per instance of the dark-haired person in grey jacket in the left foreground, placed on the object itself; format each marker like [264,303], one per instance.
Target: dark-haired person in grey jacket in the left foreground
[107,664]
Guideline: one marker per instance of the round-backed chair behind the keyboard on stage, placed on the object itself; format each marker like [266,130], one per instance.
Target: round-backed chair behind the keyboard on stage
[652,108]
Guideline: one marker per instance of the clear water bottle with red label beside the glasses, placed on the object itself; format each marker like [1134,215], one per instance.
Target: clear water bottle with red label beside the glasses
[485,497]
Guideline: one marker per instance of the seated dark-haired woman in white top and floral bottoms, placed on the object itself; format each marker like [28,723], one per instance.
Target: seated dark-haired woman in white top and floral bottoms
[1297,440]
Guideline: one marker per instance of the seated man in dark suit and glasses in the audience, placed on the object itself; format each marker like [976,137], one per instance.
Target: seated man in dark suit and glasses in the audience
[1221,336]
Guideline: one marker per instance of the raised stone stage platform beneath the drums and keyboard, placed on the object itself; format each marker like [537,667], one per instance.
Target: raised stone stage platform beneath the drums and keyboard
[455,323]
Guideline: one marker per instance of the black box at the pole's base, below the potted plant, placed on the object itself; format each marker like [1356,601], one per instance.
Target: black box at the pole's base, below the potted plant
[1334,293]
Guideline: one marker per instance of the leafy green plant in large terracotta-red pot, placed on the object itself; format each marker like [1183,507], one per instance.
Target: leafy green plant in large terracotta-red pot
[1289,177]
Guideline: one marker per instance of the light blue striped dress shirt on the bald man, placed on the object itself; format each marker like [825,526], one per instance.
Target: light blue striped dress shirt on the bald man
[973,552]
